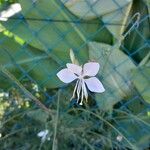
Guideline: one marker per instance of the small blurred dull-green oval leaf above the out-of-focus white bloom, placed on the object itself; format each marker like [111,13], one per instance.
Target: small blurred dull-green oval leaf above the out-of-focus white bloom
[38,115]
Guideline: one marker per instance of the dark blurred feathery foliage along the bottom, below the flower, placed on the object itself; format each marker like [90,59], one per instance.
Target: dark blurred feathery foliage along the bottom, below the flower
[76,127]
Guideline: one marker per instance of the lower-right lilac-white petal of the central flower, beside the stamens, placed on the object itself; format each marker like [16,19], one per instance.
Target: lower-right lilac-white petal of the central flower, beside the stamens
[94,85]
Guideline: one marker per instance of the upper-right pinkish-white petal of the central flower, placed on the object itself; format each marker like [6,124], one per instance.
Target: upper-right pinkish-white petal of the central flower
[91,69]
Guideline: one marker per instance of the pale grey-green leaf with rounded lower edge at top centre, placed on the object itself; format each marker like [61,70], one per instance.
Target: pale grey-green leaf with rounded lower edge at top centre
[93,8]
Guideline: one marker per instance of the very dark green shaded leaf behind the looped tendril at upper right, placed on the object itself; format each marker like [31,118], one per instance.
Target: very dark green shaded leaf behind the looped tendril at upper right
[136,43]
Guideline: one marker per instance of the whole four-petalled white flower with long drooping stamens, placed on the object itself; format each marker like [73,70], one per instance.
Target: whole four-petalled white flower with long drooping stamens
[85,76]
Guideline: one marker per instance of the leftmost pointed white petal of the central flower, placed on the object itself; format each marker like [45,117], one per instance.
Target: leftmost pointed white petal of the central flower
[66,76]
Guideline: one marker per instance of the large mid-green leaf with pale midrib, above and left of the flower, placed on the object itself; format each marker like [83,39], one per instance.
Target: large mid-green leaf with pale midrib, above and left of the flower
[42,27]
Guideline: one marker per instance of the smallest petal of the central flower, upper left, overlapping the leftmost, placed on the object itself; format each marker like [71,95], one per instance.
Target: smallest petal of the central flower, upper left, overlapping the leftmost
[74,68]
